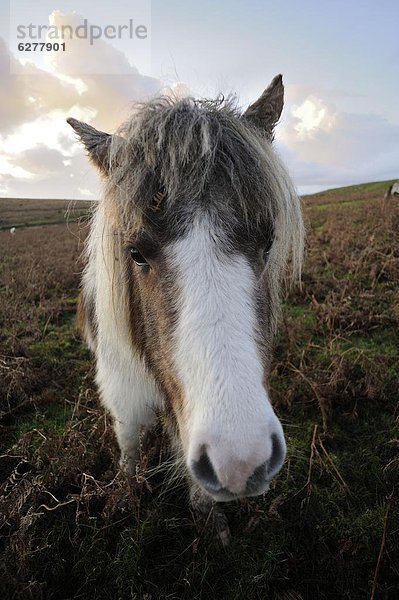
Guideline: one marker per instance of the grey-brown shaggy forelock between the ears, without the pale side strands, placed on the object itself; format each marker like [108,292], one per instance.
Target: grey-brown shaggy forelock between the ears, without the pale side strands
[180,146]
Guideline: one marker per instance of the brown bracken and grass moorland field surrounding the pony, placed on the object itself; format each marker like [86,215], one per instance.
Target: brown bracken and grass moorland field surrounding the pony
[73,526]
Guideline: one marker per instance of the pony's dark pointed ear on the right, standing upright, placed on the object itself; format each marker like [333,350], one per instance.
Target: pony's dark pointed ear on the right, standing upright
[266,111]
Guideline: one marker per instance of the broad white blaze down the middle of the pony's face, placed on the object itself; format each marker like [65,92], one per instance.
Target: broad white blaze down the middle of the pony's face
[227,412]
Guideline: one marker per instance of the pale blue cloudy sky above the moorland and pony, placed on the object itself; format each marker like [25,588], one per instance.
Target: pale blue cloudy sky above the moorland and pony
[339,60]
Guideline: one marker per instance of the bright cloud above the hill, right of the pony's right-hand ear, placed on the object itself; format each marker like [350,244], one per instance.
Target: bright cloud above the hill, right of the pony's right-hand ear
[326,146]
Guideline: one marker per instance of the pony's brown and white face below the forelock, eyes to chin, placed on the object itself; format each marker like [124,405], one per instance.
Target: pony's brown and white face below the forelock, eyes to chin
[197,312]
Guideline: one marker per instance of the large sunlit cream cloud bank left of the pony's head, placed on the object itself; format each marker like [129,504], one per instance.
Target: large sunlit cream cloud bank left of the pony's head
[39,153]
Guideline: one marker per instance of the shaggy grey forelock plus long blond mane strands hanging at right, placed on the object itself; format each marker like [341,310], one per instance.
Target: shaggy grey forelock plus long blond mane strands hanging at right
[182,147]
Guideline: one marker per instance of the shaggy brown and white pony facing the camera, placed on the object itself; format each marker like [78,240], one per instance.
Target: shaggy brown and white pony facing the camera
[185,260]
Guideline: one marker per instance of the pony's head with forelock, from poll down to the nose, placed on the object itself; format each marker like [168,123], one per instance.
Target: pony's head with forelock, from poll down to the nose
[199,266]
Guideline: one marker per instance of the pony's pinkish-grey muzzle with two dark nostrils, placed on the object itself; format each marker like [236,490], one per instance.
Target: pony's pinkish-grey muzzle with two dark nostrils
[238,478]
